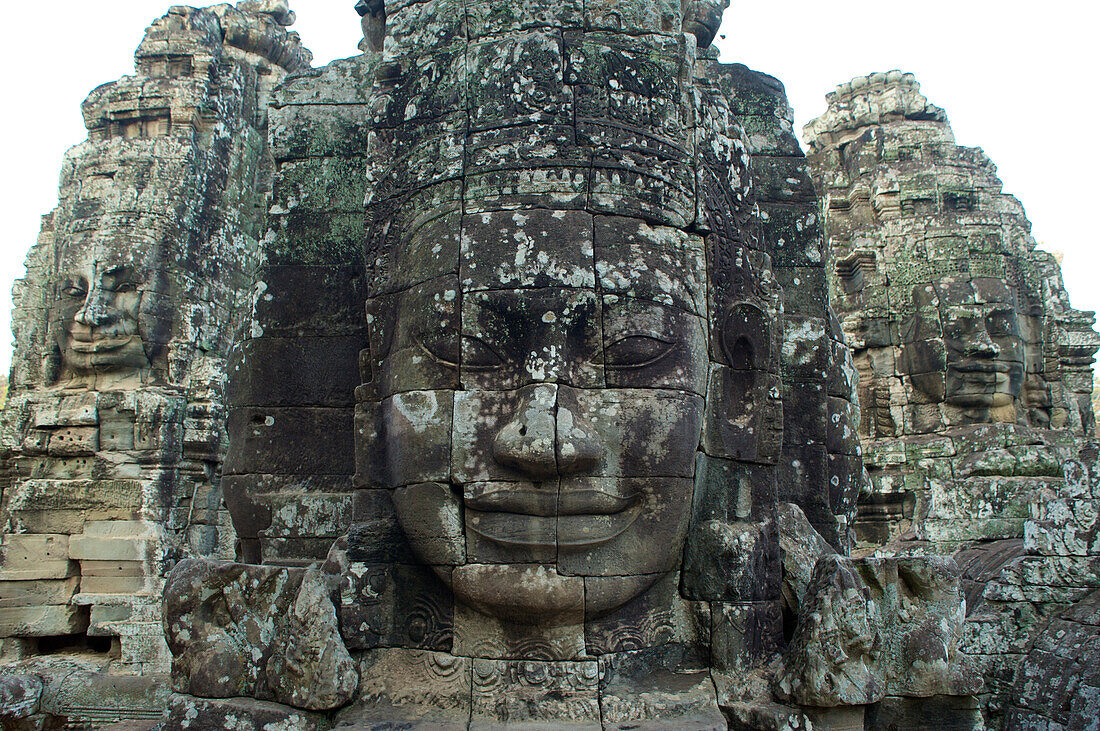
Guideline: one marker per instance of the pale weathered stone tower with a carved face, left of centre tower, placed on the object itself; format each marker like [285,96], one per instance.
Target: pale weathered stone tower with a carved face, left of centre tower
[113,435]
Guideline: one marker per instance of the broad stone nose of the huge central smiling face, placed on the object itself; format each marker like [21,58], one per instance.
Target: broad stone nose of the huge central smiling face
[544,441]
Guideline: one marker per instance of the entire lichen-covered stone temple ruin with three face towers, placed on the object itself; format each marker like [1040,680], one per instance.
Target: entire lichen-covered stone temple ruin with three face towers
[491,379]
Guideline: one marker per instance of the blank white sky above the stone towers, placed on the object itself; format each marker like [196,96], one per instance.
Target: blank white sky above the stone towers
[1016,77]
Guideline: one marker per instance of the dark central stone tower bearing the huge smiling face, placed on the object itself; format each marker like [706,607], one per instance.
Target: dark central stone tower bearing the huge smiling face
[597,355]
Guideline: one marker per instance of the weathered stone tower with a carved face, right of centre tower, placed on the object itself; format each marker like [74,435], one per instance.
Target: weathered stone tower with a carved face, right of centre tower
[975,371]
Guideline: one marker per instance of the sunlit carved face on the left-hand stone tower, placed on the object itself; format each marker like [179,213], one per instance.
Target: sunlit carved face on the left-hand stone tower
[97,313]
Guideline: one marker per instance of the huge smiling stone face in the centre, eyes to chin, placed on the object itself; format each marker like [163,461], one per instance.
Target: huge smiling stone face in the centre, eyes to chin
[541,414]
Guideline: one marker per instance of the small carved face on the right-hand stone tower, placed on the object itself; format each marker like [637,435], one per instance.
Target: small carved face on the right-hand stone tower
[964,347]
